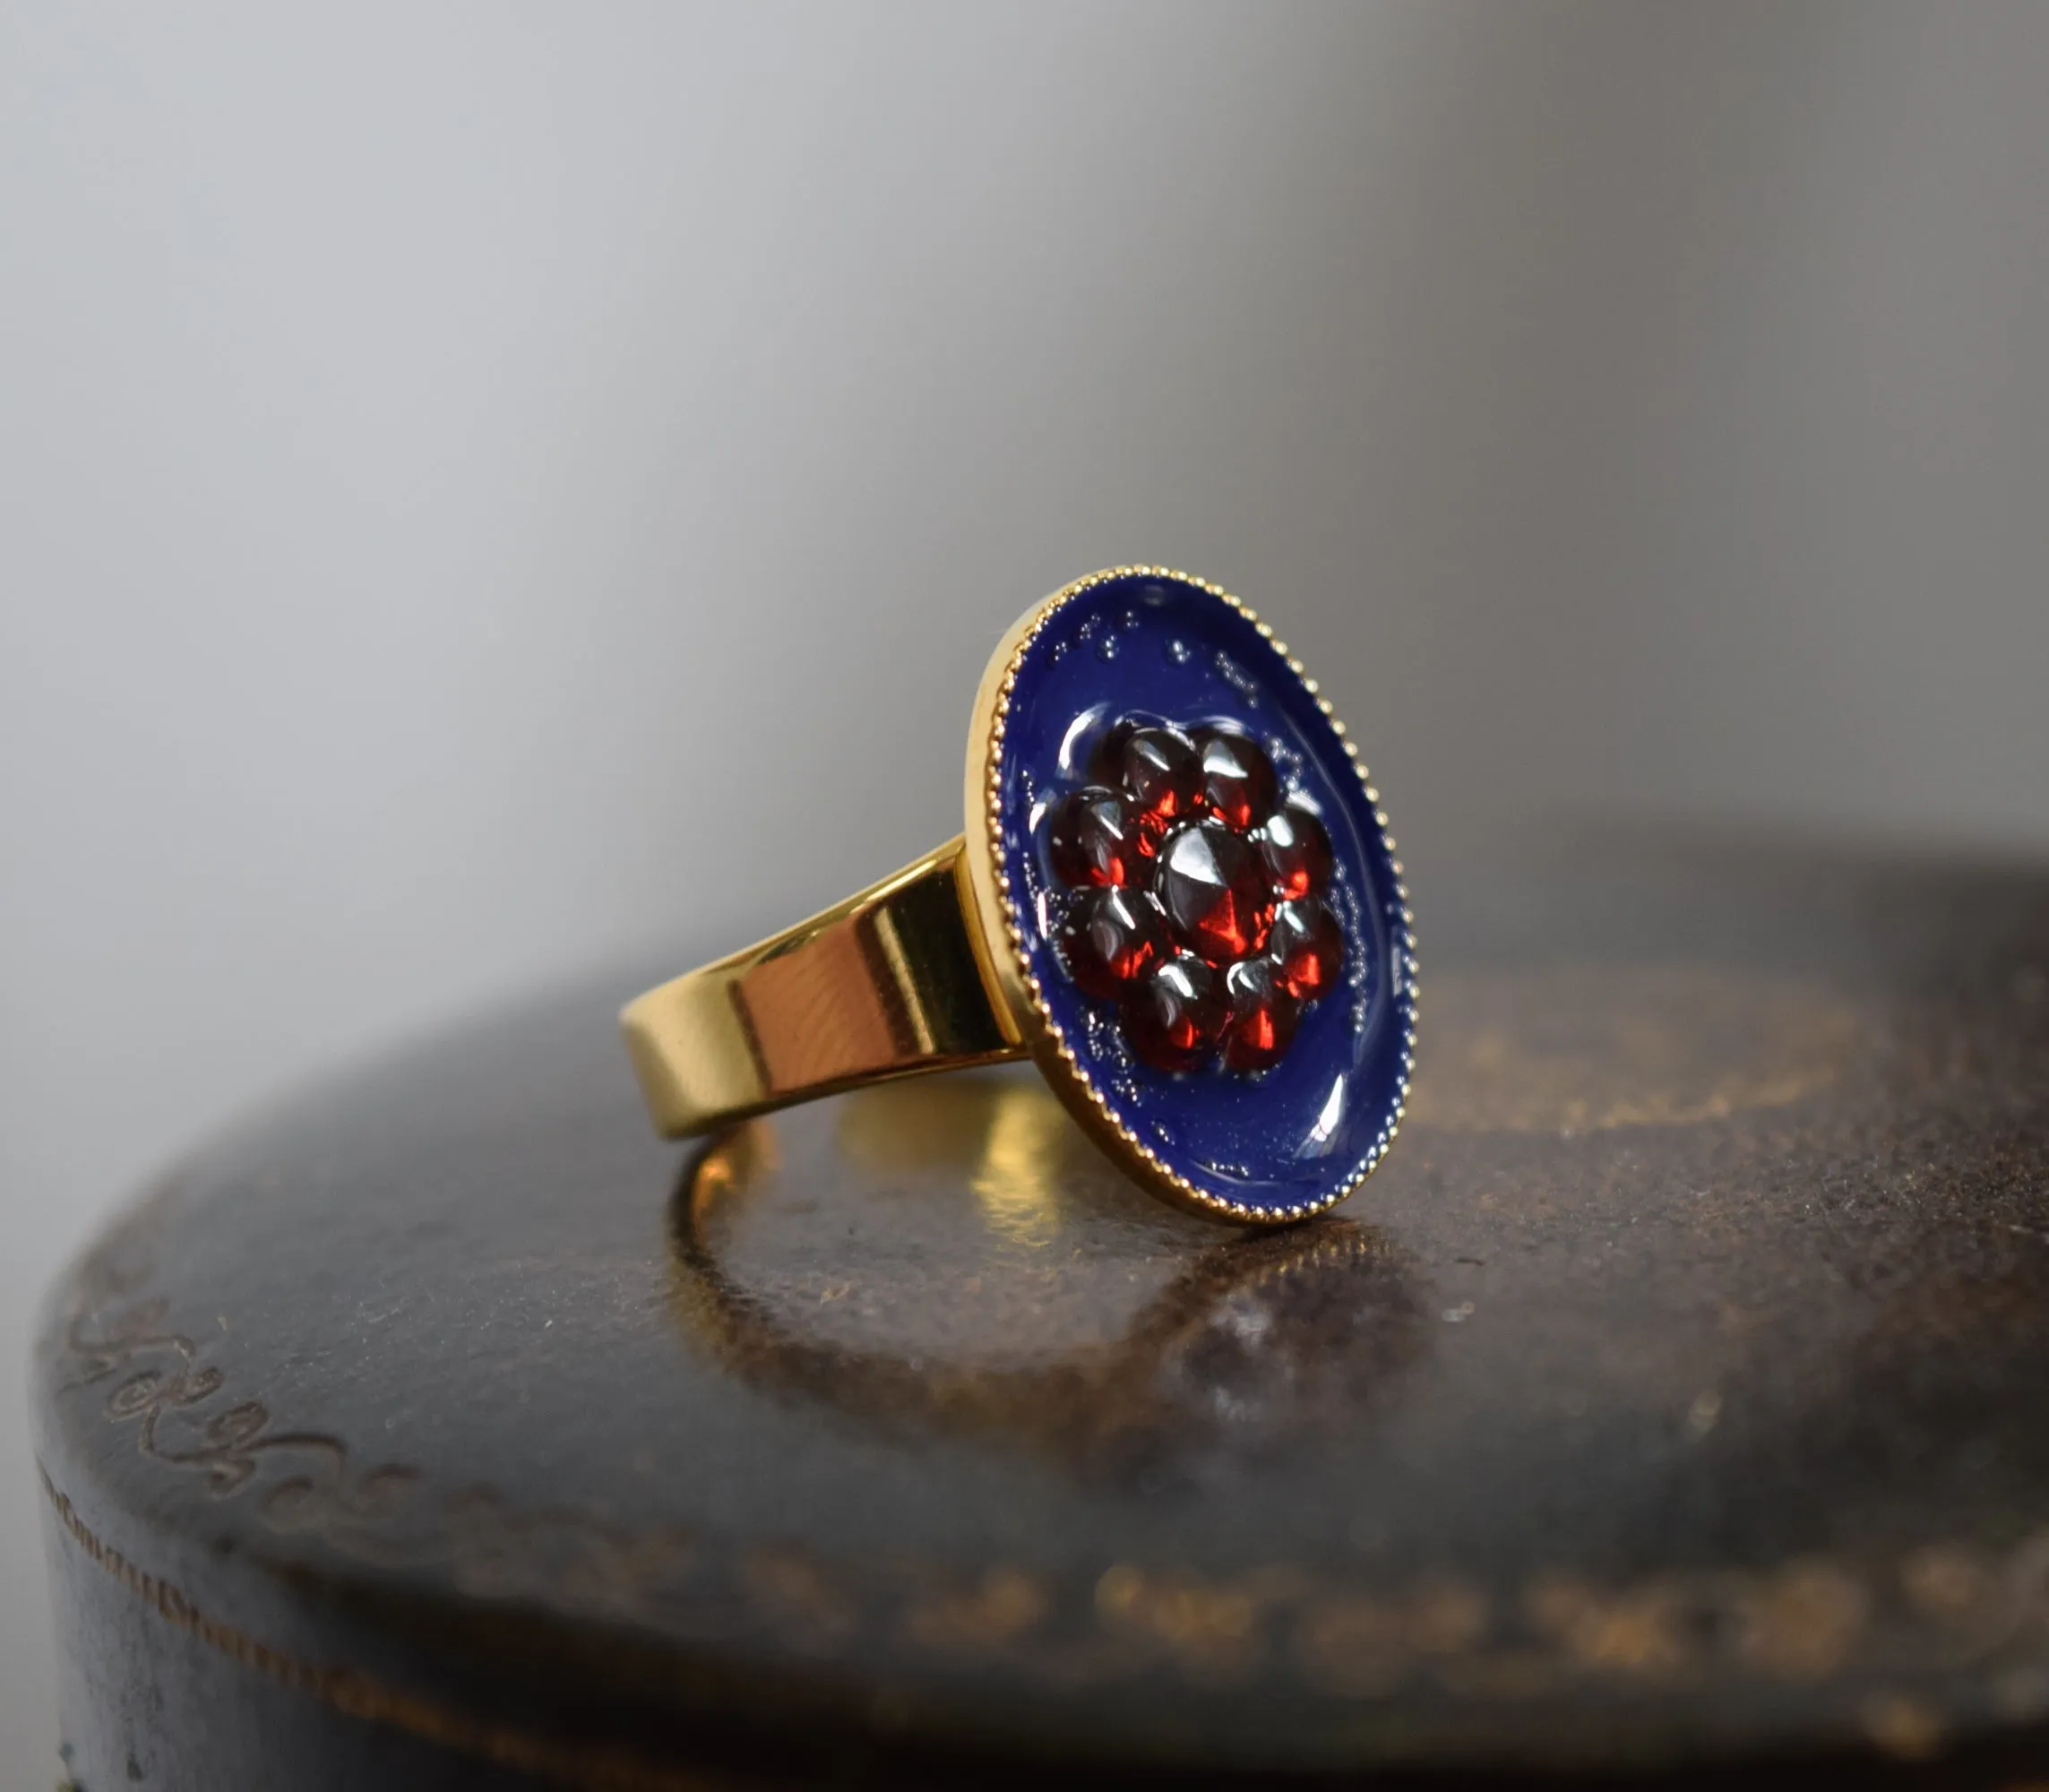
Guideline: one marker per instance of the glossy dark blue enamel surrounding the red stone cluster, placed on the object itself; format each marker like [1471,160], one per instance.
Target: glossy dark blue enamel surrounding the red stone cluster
[1171,650]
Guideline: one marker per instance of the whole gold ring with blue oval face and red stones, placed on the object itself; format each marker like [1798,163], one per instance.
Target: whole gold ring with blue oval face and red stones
[1175,892]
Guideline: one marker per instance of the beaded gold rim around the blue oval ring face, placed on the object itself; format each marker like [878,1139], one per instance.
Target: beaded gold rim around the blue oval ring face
[1001,933]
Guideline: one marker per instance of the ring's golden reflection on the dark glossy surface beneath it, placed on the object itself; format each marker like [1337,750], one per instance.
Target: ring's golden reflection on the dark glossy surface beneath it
[954,1254]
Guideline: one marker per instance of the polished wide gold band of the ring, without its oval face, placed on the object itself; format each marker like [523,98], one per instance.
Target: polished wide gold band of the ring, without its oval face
[884,984]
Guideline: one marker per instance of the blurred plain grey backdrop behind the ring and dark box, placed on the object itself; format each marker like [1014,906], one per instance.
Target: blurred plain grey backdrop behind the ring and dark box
[491,488]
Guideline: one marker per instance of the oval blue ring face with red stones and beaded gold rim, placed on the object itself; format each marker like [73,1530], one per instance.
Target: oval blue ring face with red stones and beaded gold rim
[1210,941]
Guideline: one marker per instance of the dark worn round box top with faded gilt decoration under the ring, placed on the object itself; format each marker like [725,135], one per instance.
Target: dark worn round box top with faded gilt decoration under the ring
[1673,1398]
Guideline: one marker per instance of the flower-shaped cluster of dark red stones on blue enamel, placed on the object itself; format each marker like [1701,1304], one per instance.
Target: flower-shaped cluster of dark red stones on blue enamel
[1200,904]
